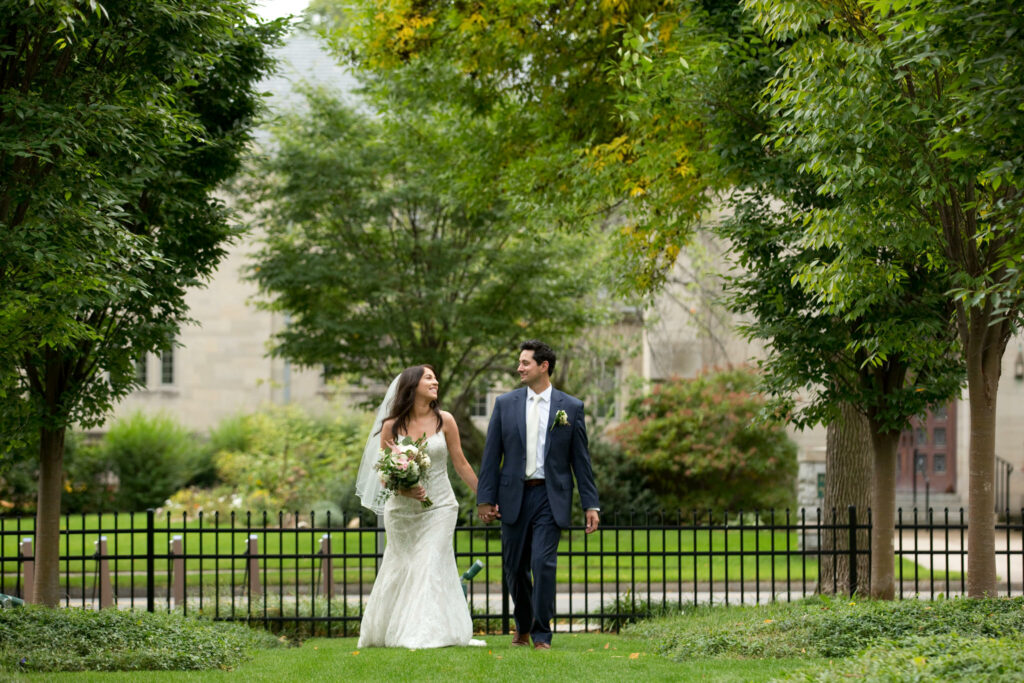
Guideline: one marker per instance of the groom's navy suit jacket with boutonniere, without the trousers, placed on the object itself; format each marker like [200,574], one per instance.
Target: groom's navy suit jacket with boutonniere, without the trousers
[503,471]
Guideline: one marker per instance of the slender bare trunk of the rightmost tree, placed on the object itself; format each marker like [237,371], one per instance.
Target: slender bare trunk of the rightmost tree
[984,380]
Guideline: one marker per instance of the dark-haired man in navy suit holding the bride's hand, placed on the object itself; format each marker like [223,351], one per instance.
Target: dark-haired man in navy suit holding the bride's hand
[537,442]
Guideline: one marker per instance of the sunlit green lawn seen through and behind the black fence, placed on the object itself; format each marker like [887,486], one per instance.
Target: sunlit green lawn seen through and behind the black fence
[631,553]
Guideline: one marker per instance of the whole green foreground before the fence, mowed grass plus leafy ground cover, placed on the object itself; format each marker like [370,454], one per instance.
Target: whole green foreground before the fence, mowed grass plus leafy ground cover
[820,639]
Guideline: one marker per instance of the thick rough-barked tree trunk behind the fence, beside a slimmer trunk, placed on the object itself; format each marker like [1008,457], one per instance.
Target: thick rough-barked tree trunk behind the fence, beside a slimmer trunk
[849,469]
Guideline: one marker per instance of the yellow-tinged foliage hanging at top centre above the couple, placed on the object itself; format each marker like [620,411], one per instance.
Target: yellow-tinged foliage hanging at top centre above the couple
[544,71]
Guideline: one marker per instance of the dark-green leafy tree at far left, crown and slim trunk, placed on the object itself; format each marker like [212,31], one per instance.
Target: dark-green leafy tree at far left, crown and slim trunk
[117,124]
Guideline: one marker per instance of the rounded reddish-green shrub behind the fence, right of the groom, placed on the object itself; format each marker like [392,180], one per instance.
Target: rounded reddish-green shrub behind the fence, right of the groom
[704,444]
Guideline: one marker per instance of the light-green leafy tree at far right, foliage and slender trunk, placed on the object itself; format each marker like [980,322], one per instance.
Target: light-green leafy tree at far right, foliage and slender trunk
[910,111]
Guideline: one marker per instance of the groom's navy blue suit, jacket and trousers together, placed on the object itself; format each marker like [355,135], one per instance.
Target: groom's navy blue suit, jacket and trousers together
[533,518]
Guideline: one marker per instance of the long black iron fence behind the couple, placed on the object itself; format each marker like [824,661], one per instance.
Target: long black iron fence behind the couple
[290,572]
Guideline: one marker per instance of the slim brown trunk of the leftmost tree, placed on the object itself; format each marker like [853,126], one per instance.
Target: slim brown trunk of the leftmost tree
[48,547]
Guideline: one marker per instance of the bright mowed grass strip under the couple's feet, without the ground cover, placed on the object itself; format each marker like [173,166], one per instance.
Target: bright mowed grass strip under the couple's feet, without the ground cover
[575,657]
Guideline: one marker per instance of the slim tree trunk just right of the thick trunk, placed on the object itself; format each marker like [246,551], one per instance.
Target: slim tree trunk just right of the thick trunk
[884,515]
